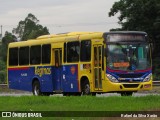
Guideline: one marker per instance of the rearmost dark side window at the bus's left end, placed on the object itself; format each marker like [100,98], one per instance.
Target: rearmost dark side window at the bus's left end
[13,56]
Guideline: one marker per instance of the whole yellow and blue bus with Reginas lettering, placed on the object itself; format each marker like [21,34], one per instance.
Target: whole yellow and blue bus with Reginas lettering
[81,63]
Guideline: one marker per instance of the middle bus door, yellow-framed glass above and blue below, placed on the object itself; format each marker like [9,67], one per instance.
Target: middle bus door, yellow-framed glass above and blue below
[57,73]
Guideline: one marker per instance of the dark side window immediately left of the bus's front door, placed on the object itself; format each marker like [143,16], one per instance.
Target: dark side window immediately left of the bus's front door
[86,50]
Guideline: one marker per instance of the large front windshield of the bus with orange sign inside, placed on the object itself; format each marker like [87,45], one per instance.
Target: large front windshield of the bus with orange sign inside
[128,57]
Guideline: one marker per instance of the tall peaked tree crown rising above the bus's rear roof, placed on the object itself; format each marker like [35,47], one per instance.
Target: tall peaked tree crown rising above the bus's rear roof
[29,28]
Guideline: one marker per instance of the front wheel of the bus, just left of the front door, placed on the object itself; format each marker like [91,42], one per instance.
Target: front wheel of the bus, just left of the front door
[86,88]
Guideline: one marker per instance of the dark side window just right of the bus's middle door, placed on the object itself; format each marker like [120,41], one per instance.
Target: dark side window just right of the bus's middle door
[73,51]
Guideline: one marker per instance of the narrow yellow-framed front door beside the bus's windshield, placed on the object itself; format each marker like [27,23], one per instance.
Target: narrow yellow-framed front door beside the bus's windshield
[98,67]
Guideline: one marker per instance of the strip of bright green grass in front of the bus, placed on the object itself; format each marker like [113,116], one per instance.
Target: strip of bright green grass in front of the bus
[84,103]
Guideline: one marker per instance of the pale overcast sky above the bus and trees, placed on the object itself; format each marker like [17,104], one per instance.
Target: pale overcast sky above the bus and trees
[60,15]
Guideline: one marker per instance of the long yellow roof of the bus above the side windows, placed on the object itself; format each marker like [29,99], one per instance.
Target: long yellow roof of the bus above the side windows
[54,38]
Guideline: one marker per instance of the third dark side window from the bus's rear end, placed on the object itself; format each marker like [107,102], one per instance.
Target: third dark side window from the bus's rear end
[35,55]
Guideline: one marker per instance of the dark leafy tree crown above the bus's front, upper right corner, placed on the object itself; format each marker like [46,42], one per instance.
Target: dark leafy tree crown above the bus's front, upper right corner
[140,15]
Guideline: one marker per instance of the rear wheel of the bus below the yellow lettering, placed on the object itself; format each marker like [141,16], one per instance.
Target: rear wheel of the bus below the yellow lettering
[36,88]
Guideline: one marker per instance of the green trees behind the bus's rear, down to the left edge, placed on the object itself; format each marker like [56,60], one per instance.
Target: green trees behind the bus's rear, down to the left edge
[29,28]
